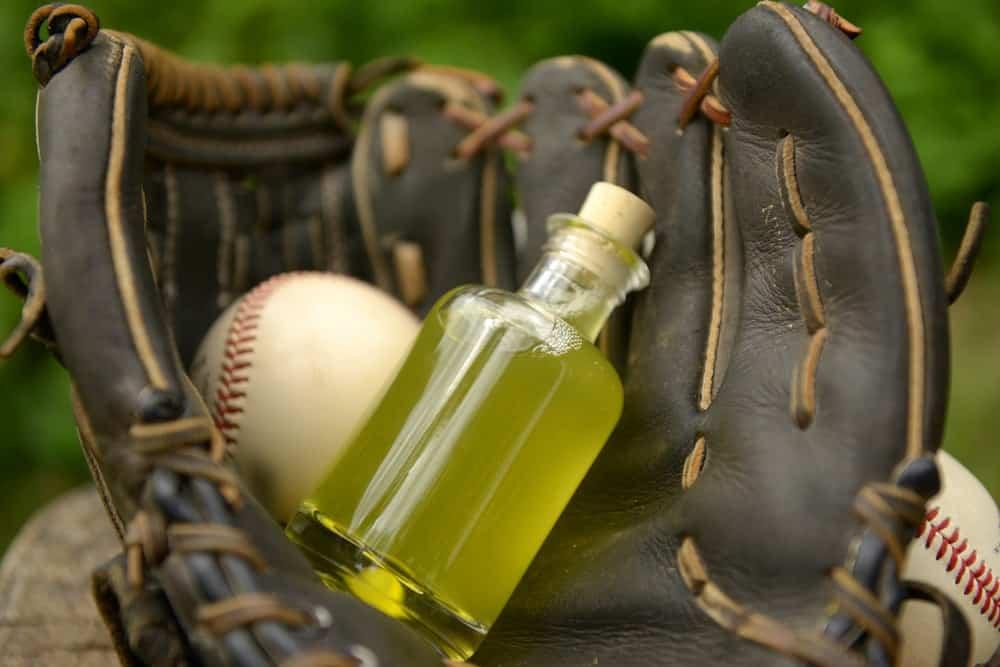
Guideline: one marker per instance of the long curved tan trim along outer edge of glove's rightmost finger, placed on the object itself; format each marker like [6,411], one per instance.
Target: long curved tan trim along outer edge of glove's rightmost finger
[897,221]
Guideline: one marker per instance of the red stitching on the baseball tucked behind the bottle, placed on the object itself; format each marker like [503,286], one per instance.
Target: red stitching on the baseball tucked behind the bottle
[237,355]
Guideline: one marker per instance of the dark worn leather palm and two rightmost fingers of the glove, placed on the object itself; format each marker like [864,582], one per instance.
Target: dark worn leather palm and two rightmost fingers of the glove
[771,513]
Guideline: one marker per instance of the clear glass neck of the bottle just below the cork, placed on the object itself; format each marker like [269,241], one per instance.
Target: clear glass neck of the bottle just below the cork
[583,275]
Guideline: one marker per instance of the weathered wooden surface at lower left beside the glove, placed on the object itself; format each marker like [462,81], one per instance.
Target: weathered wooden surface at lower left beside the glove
[47,615]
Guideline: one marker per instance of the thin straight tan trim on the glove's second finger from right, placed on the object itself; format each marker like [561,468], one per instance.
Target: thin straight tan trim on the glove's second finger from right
[707,391]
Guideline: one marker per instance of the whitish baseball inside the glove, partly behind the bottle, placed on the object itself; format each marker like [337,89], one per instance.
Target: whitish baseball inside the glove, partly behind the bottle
[289,370]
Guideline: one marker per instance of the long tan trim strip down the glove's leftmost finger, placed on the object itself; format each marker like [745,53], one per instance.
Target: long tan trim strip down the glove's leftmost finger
[116,229]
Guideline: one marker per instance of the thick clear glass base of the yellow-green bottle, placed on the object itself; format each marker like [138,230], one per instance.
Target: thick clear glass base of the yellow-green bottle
[343,564]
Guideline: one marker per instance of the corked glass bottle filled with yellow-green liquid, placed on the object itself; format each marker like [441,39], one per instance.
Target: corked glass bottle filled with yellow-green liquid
[435,510]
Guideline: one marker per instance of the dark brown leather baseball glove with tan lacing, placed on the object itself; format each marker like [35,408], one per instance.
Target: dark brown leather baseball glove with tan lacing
[785,372]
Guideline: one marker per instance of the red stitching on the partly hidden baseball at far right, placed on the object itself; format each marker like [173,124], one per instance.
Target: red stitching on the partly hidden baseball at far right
[981,577]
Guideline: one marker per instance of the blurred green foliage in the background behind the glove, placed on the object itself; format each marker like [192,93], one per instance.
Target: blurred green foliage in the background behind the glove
[941,61]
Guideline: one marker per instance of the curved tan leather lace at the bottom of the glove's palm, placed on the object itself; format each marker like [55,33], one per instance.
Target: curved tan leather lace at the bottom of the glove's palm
[753,626]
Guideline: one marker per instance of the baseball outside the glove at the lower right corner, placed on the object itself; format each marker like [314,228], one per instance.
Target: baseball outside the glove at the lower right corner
[957,549]
